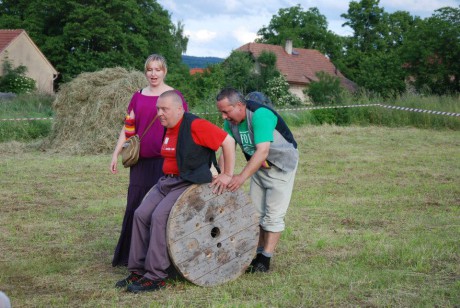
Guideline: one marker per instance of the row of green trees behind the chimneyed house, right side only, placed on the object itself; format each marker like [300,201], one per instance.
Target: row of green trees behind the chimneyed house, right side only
[385,51]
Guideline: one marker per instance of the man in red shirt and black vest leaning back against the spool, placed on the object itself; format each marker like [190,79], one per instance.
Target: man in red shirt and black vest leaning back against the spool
[188,148]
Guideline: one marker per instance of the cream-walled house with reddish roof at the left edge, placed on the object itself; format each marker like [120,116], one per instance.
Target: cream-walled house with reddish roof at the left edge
[18,47]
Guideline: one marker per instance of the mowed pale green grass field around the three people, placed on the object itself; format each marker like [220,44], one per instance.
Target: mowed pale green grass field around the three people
[374,221]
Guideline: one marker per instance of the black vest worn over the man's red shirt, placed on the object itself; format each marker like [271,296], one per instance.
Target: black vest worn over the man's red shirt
[194,161]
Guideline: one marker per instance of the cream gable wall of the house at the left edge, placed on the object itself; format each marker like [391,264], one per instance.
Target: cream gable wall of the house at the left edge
[23,52]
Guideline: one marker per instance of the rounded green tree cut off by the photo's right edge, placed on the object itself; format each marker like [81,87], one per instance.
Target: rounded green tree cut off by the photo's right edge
[431,52]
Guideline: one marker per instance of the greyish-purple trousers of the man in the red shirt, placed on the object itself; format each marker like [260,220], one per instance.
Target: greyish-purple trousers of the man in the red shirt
[149,252]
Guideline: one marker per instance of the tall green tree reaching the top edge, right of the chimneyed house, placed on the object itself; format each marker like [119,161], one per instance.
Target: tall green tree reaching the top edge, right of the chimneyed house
[372,58]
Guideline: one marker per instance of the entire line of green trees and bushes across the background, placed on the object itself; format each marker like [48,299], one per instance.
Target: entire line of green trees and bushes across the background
[388,53]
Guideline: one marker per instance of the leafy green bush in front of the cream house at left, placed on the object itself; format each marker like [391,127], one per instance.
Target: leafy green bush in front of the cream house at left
[14,79]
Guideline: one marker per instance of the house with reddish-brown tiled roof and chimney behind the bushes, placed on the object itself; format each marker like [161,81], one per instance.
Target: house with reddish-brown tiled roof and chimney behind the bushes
[299,66]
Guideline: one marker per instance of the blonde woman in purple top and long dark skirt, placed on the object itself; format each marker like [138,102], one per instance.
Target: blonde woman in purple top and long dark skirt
[143,175]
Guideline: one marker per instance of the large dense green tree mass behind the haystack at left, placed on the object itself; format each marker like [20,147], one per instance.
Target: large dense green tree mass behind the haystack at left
[80,36]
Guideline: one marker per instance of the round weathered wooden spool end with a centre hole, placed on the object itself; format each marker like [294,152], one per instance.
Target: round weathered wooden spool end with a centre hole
[212,238]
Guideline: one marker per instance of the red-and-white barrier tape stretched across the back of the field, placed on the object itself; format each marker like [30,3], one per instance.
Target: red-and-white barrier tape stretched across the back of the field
[453,114]
